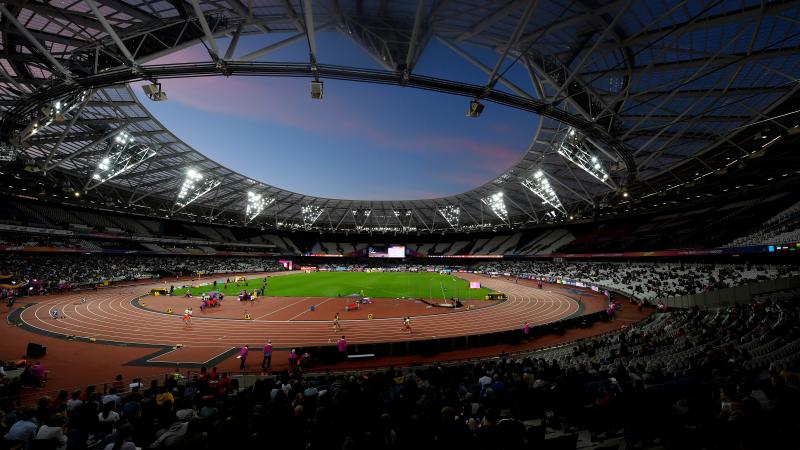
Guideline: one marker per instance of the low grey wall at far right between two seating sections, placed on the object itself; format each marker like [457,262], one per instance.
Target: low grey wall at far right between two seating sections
[732,296]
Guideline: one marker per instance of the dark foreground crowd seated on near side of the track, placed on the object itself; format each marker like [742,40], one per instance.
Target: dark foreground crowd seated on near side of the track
[683,379]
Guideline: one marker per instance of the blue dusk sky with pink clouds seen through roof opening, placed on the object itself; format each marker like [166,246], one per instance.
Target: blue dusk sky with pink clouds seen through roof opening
[362,141]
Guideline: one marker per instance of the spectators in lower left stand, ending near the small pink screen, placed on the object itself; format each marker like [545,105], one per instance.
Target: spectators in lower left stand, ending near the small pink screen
[53,270]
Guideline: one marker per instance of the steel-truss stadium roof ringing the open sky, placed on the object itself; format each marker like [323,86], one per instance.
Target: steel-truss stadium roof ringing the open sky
[635,97]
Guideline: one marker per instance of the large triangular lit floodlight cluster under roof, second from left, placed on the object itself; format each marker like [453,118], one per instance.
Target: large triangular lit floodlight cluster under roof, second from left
[124,153]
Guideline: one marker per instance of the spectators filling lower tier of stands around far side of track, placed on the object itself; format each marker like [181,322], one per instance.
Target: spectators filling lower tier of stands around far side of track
[643,281]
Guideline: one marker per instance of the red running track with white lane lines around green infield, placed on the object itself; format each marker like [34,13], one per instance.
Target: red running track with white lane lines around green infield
[111,316]
